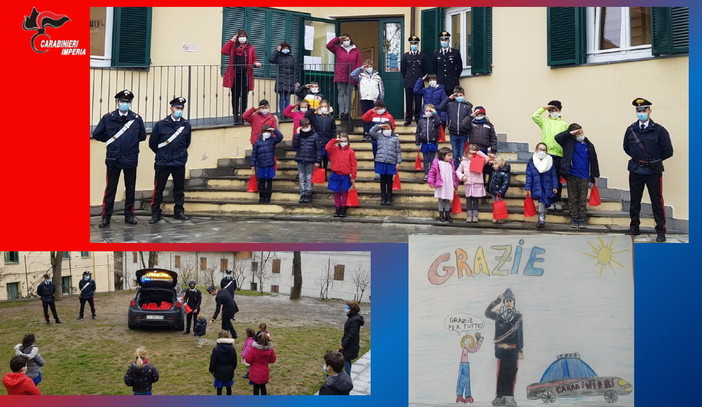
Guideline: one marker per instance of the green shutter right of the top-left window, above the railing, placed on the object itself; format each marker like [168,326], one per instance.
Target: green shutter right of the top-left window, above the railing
[131,37]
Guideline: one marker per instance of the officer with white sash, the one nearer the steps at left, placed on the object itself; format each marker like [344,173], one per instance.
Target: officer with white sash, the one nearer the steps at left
[170,140]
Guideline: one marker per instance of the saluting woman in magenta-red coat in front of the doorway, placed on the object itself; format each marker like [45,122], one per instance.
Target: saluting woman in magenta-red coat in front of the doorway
[348,58]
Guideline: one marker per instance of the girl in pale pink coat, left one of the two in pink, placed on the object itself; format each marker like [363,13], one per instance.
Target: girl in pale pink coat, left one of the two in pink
[443,180]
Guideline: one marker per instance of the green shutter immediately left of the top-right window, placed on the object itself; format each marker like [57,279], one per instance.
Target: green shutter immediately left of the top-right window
[566,36]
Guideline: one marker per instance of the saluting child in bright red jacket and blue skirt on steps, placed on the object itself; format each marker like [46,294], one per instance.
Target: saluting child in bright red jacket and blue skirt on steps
[343,171]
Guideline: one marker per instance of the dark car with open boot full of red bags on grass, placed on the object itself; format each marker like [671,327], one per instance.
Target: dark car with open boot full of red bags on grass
[156,303]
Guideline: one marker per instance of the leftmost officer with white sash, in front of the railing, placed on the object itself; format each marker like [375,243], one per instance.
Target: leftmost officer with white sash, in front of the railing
[121,131]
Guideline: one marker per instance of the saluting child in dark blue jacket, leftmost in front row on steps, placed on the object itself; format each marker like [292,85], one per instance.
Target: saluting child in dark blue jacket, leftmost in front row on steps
[263,161]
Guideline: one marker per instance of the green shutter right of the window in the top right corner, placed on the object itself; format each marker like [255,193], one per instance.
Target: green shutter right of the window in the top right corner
[671,30]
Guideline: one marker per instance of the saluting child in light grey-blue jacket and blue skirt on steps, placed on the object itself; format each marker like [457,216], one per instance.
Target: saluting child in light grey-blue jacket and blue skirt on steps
[387,160]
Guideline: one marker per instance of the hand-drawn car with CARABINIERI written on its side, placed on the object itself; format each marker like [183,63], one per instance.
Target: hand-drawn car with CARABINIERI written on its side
[570,376]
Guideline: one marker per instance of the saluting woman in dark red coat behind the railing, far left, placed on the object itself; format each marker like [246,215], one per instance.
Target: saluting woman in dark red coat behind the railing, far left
[239,74]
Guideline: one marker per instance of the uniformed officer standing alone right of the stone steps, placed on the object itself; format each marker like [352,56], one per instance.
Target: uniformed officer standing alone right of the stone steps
[648,144]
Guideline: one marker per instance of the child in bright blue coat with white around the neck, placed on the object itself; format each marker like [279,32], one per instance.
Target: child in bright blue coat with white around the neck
[541,181]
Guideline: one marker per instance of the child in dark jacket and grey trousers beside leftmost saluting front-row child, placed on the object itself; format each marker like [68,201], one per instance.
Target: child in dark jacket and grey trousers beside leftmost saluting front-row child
[308,156]
